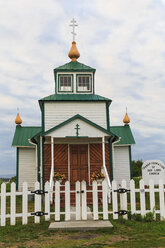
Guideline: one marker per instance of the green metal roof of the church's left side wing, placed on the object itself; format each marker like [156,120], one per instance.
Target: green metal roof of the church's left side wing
[22,134]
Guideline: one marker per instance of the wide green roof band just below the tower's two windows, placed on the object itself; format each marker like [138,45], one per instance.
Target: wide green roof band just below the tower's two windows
[75,97]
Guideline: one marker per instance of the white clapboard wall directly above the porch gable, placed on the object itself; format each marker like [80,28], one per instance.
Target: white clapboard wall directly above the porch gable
[56,113]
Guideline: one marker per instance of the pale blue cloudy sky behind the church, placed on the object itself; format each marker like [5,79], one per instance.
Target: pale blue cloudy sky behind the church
[123,39]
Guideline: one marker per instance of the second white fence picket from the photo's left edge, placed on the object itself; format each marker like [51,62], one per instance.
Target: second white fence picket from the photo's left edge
[12,203]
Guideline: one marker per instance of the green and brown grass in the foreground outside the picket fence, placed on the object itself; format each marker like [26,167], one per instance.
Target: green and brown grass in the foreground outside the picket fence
[124,234]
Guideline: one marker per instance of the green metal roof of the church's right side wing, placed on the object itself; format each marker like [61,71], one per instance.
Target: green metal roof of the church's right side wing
[124,133]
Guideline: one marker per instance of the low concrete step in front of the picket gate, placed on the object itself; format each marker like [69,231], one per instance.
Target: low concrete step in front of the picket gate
[81,225]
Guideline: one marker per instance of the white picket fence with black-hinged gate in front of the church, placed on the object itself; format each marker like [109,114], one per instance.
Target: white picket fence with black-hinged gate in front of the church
[119,202]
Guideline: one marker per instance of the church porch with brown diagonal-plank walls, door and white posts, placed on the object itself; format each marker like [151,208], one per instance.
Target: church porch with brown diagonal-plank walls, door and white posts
[77,158]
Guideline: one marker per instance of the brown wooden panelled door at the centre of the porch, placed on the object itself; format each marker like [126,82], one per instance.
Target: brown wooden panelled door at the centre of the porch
[78,163]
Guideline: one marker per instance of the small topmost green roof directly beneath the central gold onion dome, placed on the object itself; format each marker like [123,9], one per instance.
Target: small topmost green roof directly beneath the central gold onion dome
[74,66]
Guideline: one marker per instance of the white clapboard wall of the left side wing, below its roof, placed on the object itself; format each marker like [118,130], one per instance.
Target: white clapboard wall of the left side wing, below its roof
[27,167]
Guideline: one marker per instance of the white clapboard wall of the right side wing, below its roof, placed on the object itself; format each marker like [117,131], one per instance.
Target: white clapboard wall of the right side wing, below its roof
[121,165]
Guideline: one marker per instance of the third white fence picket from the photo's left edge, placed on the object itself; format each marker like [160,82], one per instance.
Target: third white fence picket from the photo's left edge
[25,203]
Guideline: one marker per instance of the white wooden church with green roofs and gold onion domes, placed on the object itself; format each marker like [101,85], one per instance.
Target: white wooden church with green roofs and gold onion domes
[75,137]
